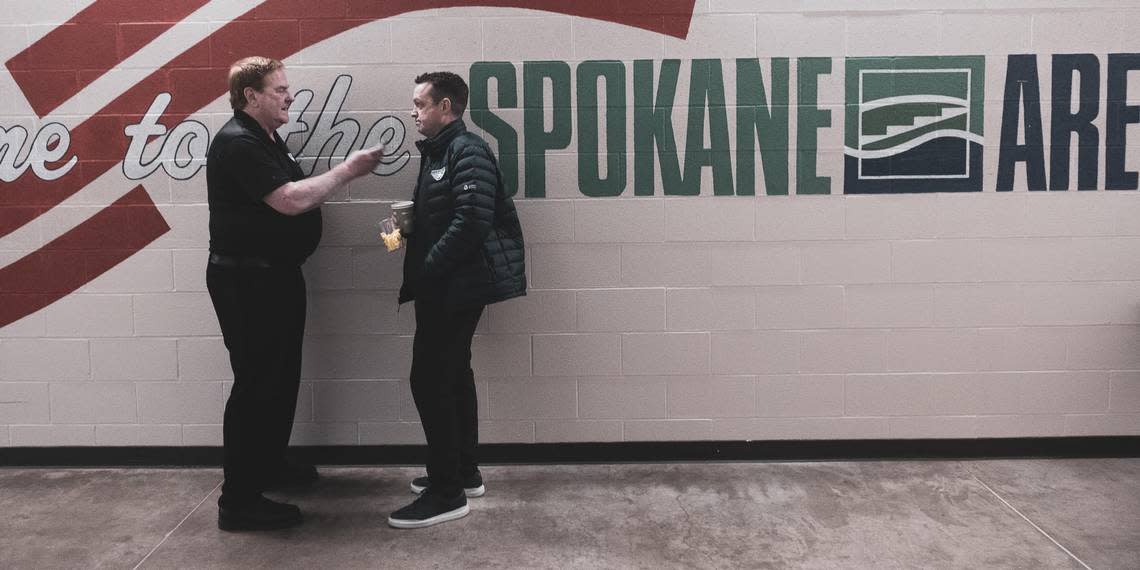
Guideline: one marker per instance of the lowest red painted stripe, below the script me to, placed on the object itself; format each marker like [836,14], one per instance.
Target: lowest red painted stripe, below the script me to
[80,256]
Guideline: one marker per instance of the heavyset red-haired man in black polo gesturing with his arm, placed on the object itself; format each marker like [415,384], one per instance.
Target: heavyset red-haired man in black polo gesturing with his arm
[265,221]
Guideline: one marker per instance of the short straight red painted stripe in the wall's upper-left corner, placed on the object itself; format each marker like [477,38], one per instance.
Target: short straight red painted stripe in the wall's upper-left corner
[93,43]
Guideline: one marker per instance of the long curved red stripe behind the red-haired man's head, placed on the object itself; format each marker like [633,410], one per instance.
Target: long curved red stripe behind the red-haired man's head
[100,141]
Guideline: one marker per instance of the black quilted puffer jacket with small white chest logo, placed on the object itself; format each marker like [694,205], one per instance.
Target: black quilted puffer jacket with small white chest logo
[467,247]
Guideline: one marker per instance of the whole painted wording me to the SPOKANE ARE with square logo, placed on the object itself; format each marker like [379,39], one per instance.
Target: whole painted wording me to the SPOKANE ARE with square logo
[913,125]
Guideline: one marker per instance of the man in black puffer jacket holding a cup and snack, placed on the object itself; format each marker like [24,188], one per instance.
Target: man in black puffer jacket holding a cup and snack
[466,253]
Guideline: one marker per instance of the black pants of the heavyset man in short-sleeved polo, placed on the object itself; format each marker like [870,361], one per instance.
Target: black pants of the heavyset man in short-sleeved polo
[262,313]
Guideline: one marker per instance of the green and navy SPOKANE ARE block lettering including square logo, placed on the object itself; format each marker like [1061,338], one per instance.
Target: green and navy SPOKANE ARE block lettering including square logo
[913,125]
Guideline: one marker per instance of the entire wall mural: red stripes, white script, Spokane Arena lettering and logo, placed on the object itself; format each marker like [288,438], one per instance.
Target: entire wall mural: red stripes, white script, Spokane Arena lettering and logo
[911,125]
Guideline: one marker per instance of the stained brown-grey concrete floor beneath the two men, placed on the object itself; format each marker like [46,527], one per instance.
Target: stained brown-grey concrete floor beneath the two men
[1079,514]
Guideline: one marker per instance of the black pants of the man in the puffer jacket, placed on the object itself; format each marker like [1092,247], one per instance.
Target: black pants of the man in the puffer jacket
[444,389]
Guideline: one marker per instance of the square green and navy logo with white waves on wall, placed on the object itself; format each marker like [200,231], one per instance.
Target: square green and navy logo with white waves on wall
[915,125]
